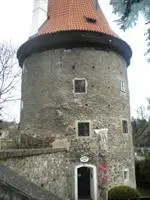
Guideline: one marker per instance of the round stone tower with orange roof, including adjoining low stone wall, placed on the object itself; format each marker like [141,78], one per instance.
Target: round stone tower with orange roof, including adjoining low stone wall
[75,99]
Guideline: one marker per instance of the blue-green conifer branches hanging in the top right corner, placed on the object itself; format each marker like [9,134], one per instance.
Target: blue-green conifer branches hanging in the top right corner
[128,12]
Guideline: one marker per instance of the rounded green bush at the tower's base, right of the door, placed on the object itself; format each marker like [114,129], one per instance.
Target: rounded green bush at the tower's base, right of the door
[122,192]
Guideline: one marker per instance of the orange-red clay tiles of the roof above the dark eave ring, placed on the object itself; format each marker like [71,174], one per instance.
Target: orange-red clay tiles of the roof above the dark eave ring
[68,15]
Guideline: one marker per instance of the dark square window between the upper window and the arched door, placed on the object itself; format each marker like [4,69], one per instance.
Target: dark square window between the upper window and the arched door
[83,128]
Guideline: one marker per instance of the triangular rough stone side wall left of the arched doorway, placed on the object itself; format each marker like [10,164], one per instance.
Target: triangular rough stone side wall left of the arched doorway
[47,171]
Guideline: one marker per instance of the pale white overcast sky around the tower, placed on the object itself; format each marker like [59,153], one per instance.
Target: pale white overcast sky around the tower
[15,23]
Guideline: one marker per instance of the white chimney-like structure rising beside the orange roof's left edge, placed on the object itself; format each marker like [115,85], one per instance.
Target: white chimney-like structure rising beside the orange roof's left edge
[39,14]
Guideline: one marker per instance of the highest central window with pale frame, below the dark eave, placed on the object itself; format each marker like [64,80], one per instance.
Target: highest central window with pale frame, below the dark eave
[79,85]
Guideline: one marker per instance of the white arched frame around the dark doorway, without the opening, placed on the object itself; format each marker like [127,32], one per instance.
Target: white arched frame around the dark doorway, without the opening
[93,168]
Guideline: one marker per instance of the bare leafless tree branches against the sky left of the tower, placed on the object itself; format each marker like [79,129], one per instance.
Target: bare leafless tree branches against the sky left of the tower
[10,75]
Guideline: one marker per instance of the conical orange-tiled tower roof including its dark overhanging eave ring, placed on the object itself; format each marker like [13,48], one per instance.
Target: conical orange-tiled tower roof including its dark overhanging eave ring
[71,24]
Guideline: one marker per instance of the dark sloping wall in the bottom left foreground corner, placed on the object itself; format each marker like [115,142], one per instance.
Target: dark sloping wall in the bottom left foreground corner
[15,187]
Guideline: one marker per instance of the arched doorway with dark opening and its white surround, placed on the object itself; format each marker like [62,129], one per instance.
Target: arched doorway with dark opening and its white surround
[85,182]
